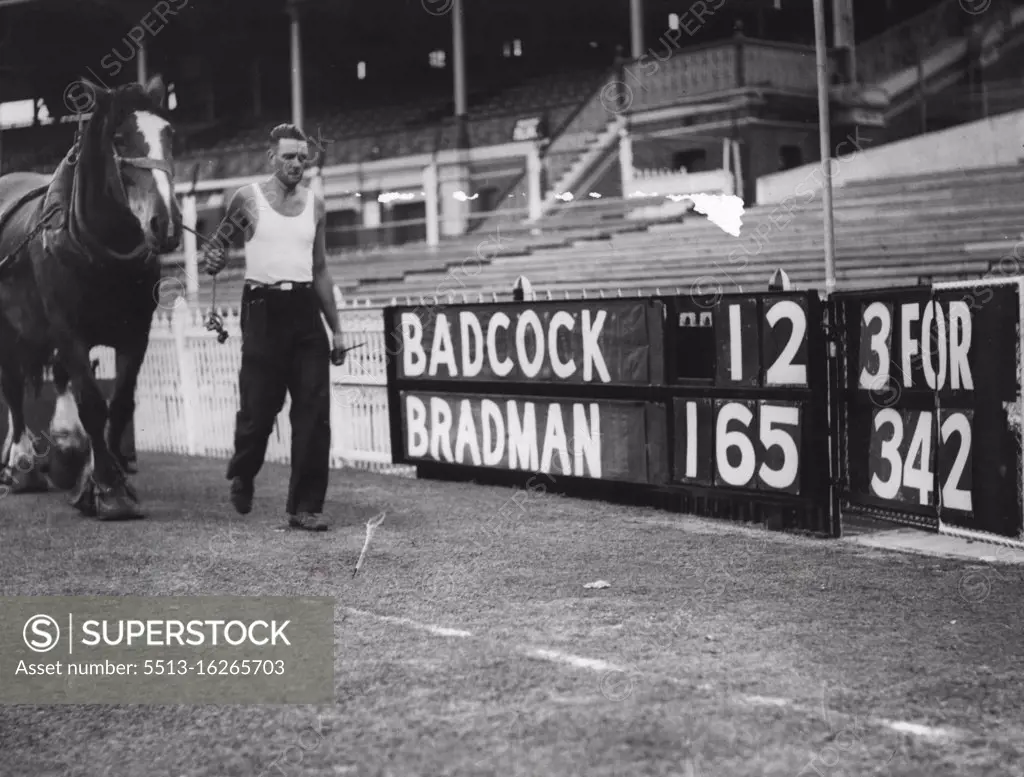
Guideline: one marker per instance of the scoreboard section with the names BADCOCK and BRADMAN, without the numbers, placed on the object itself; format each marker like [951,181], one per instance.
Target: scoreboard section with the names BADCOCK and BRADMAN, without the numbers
[559,388]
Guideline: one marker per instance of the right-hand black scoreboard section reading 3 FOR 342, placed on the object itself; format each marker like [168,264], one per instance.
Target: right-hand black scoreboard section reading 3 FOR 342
[929,387]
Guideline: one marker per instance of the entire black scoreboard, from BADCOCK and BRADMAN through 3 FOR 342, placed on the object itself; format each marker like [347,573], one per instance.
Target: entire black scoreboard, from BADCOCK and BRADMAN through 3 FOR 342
[905,403]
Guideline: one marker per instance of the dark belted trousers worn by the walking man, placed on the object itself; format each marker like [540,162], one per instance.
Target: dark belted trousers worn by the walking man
[285,348]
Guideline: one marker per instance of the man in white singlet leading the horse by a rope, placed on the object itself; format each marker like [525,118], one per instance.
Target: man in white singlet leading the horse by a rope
[284,346]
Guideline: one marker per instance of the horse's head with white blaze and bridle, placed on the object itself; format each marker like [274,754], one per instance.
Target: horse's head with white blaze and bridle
[137,143]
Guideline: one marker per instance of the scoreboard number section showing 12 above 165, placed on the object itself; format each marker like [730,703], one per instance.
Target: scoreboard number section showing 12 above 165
[753,418]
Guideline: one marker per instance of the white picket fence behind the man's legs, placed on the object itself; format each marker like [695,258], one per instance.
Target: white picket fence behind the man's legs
[188,393]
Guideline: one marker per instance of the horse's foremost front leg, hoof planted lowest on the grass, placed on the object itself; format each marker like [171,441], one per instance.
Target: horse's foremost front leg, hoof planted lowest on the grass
[103,490]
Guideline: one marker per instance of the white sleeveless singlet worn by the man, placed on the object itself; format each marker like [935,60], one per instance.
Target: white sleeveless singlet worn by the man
[282,248]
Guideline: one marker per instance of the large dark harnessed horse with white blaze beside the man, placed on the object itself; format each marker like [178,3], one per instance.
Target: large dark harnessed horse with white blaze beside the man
[80,268]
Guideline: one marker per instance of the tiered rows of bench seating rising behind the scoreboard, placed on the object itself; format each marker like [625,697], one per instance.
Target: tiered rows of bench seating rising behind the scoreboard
[890,232]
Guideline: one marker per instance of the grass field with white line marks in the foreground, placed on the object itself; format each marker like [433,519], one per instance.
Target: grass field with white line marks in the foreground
[468,645]
